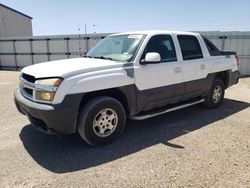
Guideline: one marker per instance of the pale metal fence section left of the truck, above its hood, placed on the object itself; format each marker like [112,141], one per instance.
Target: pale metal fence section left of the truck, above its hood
[23,51]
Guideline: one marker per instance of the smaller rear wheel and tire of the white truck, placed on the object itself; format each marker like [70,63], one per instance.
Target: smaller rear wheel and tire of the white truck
[215,96]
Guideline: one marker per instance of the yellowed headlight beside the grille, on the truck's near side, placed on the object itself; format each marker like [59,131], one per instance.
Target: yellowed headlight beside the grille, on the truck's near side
[46,89]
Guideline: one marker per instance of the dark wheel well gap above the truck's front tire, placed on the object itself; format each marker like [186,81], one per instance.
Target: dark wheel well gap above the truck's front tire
[114,93]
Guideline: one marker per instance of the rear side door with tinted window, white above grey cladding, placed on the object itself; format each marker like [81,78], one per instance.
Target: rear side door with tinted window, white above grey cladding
[193,66]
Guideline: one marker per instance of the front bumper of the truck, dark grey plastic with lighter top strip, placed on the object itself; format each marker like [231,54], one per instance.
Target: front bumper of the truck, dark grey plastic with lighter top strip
[52,119]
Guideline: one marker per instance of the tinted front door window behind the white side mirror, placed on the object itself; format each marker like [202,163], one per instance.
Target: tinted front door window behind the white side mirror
[162,44]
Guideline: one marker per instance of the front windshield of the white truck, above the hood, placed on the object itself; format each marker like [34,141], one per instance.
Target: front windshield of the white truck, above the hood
[117,48]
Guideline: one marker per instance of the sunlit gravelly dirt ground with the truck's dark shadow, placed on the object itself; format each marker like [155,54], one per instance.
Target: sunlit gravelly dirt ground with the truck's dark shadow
[193,147]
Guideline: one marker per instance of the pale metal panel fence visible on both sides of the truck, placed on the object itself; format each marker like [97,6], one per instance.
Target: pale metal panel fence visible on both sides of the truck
[19,52]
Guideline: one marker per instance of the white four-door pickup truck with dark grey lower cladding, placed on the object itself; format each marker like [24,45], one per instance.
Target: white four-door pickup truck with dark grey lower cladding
[136,75]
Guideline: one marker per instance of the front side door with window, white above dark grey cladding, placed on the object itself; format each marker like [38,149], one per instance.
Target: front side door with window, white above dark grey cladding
[160,83]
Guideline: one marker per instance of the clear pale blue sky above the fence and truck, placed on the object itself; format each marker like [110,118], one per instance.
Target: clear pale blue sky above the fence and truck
[55,17]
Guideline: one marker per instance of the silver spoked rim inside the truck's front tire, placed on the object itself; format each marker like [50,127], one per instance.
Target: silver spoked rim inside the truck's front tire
[105,122]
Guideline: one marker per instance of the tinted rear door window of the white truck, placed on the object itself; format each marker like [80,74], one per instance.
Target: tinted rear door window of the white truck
[190,47]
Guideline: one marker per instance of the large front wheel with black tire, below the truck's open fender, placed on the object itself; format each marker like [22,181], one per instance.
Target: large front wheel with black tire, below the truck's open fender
[101,121]
